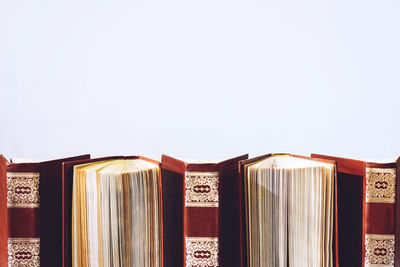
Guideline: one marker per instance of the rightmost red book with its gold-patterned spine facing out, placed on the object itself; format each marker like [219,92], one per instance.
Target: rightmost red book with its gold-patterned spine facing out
[368,211]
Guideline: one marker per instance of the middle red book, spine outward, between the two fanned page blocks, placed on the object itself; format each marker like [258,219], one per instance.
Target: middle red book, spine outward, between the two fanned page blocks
[201,212]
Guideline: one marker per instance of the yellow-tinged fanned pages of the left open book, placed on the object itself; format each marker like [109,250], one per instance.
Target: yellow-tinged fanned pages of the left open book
[116,214]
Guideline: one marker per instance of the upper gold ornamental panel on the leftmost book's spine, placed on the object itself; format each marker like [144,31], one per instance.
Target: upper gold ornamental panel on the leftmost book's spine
[23,190]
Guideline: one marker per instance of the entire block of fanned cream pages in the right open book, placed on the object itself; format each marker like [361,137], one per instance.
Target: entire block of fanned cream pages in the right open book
[289,212]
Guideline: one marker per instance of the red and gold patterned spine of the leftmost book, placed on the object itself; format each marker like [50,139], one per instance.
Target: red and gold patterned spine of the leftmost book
[23,218]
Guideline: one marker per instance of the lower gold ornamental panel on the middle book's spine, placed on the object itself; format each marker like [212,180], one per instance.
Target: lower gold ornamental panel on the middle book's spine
[201,252]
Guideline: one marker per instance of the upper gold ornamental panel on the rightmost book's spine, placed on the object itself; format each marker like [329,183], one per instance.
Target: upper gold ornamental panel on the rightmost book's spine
[381,185]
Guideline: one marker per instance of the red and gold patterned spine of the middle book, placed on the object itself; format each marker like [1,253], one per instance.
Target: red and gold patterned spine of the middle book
[200,219]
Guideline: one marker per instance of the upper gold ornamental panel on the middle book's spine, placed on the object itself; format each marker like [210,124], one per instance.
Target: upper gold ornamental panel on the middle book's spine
[201,189]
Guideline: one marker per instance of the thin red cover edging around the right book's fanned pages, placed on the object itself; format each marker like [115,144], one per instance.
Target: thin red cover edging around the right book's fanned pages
[243,238]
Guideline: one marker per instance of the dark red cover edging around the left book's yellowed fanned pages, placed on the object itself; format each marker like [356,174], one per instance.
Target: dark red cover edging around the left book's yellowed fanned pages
[67,173]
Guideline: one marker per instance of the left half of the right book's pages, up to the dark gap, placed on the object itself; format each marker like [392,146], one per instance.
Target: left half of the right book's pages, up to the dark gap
[268,211]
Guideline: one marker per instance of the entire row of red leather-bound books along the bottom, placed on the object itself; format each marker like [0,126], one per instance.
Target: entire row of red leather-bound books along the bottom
[273,210]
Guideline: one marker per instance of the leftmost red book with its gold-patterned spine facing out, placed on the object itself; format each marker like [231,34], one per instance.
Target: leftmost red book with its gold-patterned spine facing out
[31,212]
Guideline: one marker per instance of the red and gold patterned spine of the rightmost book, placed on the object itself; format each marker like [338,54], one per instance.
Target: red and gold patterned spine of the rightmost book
[379,217]
